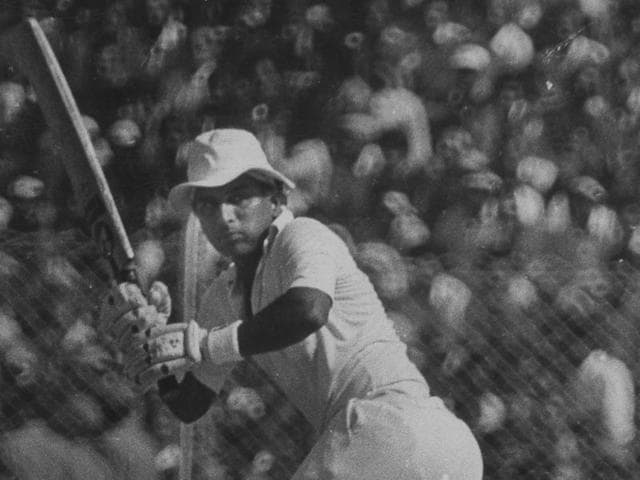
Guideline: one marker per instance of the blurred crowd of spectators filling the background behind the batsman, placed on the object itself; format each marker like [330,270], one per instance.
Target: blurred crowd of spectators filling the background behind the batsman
[480,158]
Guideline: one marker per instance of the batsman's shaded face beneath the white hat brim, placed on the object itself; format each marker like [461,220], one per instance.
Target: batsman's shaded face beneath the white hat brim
[235,217]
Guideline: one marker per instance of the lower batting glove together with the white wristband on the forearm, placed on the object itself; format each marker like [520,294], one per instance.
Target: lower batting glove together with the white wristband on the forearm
[177,348]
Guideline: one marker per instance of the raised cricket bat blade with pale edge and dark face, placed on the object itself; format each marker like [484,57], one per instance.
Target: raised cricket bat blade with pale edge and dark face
[26,47]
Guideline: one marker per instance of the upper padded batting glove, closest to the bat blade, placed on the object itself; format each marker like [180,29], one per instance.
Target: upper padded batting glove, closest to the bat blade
[125,312]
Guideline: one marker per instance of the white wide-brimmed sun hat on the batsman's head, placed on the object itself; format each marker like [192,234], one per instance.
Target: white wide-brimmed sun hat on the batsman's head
[218,157]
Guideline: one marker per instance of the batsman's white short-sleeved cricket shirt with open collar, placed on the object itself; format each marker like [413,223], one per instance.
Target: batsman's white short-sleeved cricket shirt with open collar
[357,351]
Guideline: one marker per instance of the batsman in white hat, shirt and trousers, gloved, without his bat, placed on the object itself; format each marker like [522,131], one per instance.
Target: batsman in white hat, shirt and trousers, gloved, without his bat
[295,302]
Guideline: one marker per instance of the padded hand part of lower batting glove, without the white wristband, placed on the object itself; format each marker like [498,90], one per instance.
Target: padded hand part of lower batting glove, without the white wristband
[164,350]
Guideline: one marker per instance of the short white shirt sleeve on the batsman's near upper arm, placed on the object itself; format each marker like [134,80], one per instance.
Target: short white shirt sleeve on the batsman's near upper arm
[313,254]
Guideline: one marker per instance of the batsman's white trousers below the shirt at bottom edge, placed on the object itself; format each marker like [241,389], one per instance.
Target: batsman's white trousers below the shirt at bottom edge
[396,433]
